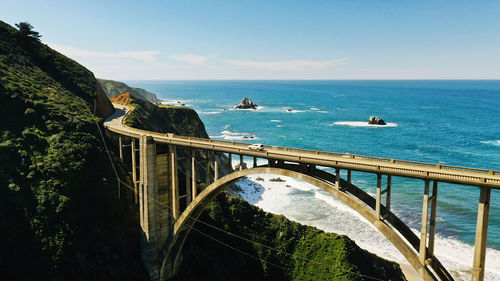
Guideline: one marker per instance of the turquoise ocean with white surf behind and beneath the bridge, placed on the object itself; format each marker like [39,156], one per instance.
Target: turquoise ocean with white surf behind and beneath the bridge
[448,122]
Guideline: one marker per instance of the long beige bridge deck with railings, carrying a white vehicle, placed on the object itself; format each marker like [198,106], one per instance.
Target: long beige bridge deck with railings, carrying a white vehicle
[404,168]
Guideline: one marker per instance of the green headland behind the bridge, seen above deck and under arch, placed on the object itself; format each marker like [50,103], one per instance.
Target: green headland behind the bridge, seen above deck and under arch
[315,255]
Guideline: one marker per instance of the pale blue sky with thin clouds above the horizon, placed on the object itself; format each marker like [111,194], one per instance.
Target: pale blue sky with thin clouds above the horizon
[251,39]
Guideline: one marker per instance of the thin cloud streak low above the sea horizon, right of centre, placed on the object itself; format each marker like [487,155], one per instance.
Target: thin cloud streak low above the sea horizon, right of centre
[290,65]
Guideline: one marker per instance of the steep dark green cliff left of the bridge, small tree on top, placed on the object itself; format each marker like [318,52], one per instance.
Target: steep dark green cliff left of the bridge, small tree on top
[60,216]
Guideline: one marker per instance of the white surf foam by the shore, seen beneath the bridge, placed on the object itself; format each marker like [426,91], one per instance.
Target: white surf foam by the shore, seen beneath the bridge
[275,197]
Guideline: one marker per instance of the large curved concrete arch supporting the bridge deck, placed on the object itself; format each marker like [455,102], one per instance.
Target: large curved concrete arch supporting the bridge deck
[357,199]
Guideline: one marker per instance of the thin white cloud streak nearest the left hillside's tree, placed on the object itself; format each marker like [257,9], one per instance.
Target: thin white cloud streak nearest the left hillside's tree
[147,56]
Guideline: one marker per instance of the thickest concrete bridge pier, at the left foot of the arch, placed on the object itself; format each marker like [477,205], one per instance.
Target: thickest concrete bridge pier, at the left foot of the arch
[159,202]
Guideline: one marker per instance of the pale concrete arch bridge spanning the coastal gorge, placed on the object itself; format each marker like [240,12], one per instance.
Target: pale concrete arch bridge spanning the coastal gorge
[165,229]
